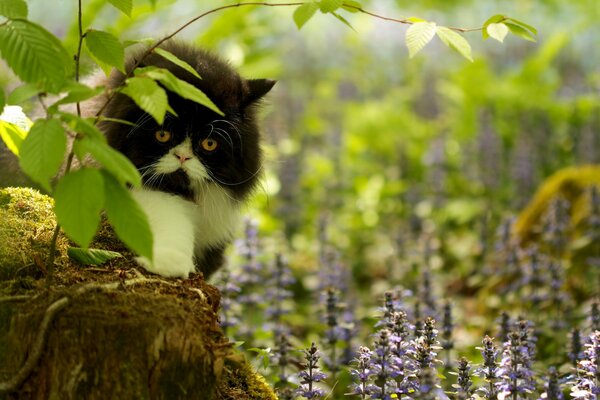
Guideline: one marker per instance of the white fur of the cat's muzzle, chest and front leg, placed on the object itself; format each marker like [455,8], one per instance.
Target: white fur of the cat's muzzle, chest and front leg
[181,228]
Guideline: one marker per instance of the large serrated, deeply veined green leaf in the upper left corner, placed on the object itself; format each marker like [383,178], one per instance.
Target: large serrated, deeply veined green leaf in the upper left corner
[34,54]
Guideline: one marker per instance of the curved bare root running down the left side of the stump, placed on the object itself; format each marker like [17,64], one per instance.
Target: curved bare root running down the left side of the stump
[38,347]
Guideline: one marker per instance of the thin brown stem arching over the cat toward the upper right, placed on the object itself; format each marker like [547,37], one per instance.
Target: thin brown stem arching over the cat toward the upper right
[255,4]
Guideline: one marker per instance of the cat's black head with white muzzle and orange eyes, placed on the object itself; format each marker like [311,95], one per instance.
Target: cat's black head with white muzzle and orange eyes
[197,147]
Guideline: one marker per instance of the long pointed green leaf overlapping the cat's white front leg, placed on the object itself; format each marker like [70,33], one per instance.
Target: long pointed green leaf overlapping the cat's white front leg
[127,218]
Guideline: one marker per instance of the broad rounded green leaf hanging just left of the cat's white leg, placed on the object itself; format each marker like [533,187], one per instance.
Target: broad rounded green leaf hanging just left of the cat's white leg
[78,200]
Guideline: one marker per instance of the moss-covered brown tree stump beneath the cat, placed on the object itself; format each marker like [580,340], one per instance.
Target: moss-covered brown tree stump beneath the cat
[120,333]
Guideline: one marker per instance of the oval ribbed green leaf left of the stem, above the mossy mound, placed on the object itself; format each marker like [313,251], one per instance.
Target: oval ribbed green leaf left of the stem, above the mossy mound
[43,151]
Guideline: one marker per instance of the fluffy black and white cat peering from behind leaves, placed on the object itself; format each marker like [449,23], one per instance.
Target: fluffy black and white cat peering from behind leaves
[198,167]
